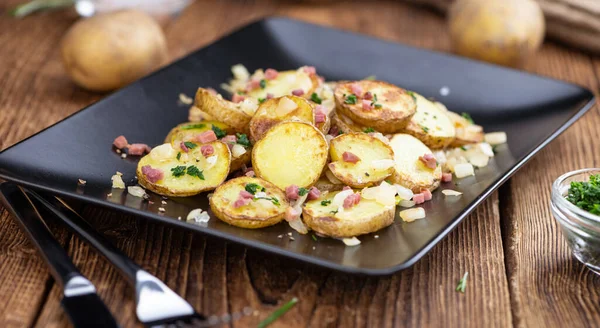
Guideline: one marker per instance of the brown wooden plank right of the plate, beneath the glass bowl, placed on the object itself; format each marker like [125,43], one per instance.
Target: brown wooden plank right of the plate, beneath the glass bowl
[549,288]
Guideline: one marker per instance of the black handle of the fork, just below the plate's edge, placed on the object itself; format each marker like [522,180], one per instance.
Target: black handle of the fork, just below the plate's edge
[50,205]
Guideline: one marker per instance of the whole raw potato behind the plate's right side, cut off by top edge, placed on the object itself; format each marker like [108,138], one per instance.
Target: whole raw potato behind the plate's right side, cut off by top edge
[505,32]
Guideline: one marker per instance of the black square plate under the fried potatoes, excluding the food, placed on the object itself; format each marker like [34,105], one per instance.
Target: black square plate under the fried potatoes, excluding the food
[531,109]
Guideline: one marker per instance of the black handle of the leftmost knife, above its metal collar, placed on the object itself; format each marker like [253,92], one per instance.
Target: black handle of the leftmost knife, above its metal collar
[61,267]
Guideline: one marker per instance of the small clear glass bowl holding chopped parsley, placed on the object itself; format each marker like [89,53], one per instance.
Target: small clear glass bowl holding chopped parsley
[580,228]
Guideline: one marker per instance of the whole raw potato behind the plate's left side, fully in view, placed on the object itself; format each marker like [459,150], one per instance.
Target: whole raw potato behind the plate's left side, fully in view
[108,51]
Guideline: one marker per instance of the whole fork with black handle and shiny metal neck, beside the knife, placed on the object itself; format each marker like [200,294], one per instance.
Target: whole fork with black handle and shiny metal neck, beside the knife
[156,304]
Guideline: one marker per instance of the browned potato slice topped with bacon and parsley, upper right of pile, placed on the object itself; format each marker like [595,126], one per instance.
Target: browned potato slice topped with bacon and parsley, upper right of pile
[392,106]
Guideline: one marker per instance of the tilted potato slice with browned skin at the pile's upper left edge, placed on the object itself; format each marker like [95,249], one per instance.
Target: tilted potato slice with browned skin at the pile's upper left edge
[235,115]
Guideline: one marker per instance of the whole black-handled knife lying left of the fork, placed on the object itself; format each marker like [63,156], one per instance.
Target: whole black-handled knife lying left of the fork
[80,301]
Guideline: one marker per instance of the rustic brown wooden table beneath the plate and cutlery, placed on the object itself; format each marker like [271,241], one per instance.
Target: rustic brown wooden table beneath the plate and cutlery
[521,272]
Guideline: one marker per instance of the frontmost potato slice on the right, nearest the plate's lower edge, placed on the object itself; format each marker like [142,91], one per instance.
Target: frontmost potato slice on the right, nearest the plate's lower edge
[325,217]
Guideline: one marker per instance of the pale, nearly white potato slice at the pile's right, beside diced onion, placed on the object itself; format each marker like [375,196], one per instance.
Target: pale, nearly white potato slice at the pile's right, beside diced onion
[410,172]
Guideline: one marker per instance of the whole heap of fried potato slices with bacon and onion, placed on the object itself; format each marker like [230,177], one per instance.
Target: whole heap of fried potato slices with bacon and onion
[332,157]
